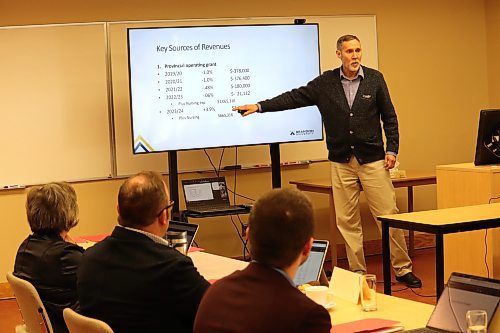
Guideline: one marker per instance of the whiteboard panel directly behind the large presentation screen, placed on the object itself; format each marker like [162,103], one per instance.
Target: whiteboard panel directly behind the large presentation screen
[127,163]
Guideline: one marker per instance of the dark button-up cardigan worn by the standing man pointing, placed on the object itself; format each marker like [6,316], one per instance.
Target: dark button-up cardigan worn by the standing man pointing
[371,105]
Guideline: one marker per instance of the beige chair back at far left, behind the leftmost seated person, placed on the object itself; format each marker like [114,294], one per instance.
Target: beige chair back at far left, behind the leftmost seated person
[32,310]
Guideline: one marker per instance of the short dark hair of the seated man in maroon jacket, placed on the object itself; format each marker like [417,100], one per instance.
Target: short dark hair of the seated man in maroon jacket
[280,224]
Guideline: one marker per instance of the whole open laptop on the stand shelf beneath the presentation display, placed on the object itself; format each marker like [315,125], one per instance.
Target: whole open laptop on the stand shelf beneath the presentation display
[208,196]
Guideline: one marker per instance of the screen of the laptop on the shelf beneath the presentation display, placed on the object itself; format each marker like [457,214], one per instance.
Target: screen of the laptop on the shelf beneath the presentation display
[205,192]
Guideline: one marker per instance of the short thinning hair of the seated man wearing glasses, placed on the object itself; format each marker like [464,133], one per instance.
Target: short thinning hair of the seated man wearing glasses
[141,198]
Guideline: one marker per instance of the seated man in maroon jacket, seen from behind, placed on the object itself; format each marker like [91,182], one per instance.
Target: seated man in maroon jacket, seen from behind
[262,297]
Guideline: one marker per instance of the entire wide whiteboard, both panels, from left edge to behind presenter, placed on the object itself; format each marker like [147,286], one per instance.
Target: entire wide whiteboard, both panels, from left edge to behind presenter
[65,101]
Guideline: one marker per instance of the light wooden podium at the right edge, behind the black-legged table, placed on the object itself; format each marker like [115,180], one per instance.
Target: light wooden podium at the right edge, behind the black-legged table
[464,185]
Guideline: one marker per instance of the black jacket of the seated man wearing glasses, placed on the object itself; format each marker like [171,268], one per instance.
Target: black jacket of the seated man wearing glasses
[137,285]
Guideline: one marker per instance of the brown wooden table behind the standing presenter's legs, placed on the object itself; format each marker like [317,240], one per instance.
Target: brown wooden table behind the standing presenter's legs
[324,186]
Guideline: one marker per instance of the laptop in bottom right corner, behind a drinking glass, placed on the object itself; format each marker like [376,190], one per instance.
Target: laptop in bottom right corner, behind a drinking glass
[463,292]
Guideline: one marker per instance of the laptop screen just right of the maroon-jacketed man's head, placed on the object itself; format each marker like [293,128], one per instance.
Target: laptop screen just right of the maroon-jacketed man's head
[310,270]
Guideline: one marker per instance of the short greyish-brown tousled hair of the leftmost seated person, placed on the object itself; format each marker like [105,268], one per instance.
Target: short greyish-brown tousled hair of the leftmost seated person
[52,208]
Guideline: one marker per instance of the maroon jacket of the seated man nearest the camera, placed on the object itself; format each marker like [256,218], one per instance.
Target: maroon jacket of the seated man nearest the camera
[259,299]
